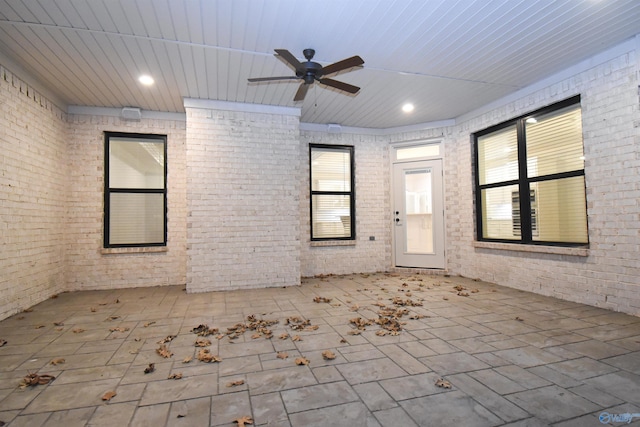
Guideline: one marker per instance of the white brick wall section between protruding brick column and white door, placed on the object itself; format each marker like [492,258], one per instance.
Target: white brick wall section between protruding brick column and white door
[373,210]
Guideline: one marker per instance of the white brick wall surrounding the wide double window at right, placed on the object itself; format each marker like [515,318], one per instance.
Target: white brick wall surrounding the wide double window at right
[610,276]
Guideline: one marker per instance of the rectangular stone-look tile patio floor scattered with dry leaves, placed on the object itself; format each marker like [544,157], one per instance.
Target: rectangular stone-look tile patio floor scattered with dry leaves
[511,357]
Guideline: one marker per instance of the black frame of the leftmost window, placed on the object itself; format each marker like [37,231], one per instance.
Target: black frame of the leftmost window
[108,191]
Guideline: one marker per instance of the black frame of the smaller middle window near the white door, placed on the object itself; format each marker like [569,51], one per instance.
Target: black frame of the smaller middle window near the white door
[352,194]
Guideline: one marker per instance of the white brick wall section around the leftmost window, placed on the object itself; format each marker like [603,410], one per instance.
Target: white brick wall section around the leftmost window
[89,268]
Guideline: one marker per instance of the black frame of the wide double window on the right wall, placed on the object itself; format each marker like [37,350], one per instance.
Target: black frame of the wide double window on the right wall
[527,231]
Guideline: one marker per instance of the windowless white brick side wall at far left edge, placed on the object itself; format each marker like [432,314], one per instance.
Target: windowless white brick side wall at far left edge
[33,179]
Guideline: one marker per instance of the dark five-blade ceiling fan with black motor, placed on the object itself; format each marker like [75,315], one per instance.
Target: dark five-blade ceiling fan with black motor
[310,72]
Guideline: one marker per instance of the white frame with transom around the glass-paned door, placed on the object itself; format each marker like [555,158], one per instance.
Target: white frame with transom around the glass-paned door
[434,151]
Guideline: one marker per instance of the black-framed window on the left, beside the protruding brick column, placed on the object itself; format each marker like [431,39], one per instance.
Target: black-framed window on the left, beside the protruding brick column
[135,196]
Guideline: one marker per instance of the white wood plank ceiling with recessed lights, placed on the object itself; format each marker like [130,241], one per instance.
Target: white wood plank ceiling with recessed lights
[447,57]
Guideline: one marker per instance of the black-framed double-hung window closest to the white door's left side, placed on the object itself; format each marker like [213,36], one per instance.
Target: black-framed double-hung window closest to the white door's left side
[332,192]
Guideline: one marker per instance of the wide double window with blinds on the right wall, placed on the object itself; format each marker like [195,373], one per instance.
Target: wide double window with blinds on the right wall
[540,154]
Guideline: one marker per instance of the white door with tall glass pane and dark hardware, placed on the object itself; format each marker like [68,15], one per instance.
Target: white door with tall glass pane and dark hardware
[418,214]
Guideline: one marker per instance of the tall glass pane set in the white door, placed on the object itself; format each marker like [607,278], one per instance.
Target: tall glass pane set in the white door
[418,211]
